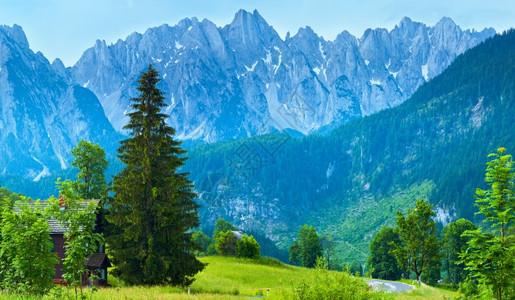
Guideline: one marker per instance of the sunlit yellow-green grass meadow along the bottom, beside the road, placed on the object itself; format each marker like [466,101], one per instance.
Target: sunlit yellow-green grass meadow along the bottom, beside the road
[233,278]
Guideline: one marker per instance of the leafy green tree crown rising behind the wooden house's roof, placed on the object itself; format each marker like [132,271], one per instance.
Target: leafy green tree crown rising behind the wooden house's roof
[91,162]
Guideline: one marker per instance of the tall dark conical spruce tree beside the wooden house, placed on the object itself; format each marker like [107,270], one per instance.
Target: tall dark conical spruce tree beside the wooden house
[153,208]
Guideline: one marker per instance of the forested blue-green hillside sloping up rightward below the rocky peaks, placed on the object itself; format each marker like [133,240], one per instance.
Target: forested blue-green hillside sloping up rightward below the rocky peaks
[351,182]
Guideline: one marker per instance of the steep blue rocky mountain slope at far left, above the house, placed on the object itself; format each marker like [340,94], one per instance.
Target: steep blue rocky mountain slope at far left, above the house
[41,116]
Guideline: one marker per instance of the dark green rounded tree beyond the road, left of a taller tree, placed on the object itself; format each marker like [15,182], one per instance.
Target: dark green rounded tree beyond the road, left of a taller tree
[382,263]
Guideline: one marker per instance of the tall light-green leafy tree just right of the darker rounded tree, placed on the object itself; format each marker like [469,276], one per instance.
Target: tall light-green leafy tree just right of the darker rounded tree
[419,247]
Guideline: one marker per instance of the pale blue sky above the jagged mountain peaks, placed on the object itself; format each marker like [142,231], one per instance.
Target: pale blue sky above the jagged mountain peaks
[66,28]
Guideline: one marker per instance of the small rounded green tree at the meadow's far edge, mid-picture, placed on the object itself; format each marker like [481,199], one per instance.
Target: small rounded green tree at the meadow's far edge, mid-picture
[307,248]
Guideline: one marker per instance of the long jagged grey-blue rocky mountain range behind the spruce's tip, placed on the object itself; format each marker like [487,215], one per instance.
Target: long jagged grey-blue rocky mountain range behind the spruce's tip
[243,79]
